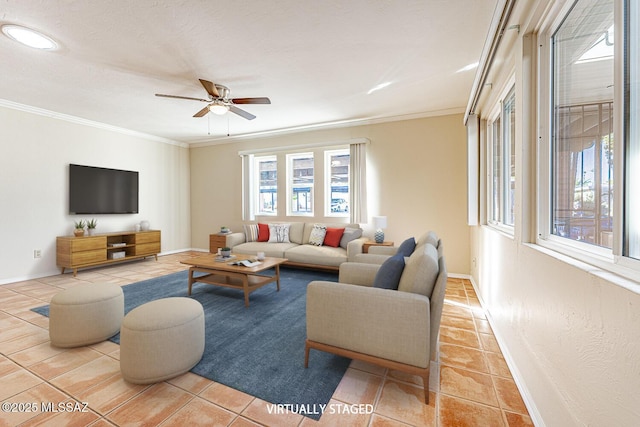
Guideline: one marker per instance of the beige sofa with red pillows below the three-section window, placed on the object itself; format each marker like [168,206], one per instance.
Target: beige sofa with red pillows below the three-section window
[298,251]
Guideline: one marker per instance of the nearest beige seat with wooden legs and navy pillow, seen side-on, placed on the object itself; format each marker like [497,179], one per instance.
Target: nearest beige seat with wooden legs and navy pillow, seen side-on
[396,329]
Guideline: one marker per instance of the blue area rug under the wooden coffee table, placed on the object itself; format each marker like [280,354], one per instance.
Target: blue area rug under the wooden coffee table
[260,349]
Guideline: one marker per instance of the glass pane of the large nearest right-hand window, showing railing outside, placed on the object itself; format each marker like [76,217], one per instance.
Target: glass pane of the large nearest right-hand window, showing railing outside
[582,140]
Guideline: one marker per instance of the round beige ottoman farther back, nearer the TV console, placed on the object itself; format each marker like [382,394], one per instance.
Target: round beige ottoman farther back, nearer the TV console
[85,314]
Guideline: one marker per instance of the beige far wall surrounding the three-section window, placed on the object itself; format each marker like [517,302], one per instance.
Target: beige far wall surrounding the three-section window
[416,176]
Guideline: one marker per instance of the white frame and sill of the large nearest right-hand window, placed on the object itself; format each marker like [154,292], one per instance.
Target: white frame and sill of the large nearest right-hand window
[613,259]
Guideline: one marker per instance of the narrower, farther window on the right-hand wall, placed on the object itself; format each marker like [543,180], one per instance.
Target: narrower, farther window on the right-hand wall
[502,163]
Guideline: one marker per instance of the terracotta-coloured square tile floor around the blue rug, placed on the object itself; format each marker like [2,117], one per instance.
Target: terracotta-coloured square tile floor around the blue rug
[470,384]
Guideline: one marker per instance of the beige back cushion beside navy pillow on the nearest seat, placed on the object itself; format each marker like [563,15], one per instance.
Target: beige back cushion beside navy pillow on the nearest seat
[420,271]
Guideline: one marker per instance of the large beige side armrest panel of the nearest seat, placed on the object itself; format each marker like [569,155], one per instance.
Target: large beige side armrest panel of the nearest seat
[379,322]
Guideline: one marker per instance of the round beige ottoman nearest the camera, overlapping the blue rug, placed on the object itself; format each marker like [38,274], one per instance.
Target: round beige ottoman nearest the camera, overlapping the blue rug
[161,339]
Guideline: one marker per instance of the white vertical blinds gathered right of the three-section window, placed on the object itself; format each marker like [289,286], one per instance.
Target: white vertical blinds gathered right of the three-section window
[358,182]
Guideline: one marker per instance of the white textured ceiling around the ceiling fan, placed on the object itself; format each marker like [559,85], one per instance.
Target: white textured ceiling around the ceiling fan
[315,59]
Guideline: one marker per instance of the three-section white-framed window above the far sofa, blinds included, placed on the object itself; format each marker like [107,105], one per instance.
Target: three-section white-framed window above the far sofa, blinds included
[332,175]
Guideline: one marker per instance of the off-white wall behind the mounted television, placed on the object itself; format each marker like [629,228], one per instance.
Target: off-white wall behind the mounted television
[35,152]
